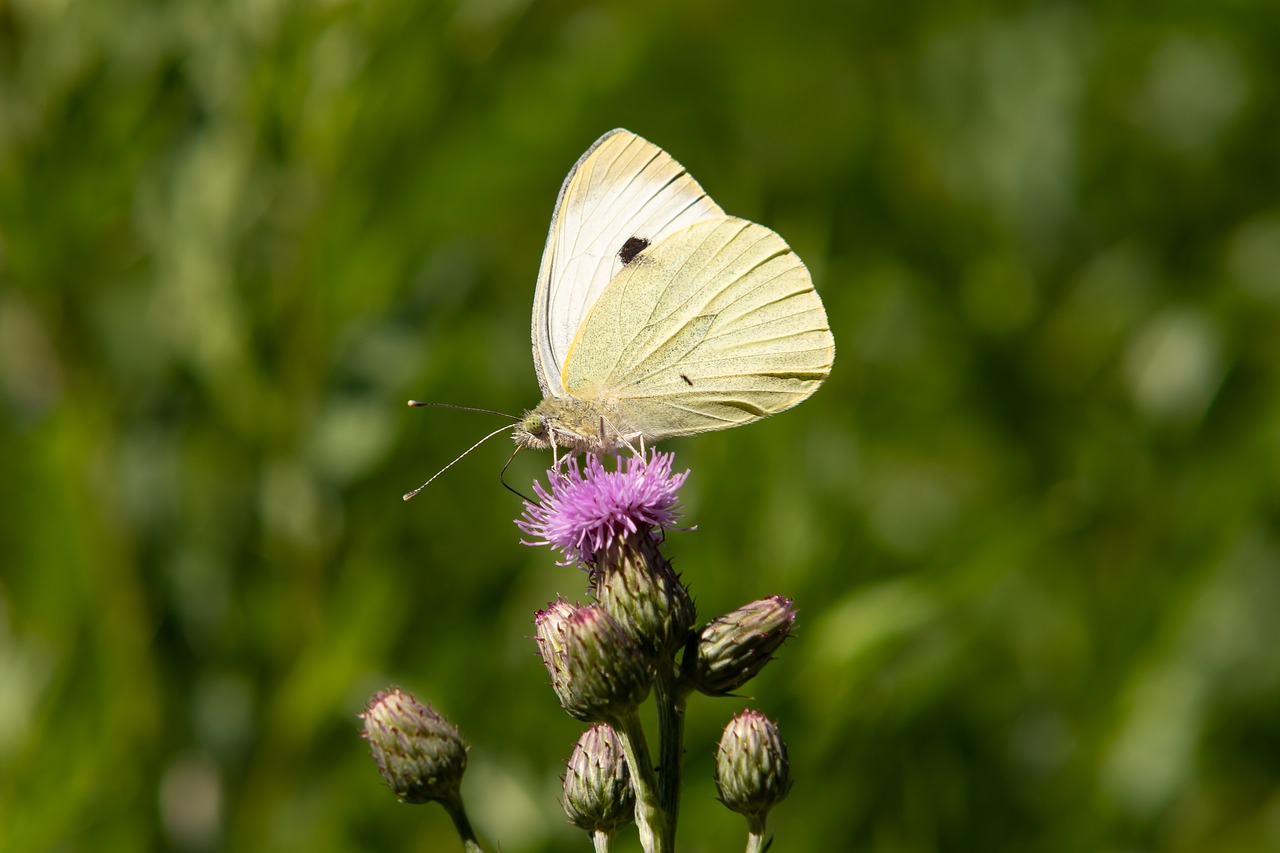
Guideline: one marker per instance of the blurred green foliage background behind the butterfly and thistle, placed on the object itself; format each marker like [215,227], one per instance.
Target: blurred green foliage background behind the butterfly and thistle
[1031,522]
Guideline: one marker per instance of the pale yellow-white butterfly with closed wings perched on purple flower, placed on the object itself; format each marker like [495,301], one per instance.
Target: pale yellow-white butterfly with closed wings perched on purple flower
[659,316]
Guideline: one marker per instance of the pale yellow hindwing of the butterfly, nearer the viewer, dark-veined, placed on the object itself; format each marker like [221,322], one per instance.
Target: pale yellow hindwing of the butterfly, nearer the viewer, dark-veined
[714,327]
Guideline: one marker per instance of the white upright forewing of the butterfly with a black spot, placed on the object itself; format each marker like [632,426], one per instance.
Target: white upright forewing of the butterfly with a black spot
[623,195]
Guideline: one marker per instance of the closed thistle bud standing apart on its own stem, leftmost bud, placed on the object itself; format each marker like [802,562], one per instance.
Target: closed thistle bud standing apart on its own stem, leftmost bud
[419,754]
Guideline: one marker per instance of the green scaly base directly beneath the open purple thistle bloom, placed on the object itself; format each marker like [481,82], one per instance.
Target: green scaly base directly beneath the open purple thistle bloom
[639,589]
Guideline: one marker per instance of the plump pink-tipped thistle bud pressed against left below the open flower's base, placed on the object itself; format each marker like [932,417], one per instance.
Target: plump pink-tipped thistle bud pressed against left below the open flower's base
[597,668]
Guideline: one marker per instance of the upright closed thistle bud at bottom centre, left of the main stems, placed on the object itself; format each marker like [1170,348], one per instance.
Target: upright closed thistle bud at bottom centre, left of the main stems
[598,795]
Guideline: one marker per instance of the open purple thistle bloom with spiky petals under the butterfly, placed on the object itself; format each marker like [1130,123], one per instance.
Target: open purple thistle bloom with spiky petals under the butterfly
[591,508]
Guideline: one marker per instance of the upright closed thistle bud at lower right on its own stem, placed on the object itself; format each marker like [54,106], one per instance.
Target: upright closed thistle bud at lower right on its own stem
[752,770]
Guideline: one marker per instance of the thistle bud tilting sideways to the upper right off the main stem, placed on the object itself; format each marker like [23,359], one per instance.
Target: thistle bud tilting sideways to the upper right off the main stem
[733,649]
